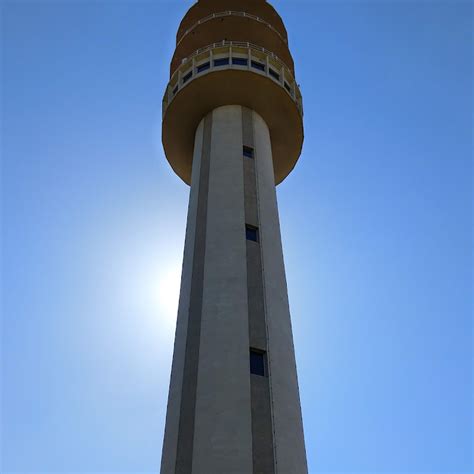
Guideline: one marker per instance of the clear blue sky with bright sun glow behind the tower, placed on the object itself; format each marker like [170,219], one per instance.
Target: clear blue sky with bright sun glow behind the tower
[376,225]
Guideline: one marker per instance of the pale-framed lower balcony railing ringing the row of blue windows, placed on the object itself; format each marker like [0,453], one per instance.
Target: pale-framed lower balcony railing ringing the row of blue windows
[274,68]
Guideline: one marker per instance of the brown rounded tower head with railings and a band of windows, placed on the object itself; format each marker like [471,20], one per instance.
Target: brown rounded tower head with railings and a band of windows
[232,52]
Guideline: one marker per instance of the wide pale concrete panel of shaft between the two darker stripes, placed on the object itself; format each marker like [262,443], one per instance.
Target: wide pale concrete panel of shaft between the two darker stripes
[223,437]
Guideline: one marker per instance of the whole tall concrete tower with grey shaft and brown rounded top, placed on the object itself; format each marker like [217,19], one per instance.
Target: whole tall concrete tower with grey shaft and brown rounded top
[233,129]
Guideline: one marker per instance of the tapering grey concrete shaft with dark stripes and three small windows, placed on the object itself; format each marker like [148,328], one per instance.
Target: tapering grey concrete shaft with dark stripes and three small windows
[233,404]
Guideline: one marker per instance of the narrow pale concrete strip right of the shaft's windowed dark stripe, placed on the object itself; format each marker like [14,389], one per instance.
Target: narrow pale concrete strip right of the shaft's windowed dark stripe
[287,422]
